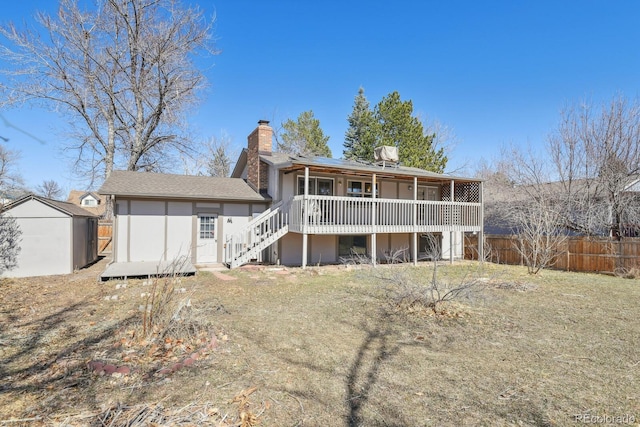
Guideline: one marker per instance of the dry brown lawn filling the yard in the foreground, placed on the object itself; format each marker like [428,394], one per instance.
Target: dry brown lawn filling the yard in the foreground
[323,347]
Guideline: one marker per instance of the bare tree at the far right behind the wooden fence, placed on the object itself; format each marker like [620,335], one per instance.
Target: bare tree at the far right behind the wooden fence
[596,154]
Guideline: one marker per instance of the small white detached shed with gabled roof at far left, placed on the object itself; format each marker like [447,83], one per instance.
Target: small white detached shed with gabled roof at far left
[57,237]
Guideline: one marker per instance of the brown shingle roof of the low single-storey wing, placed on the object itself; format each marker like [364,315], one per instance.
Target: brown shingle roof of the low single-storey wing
[157,185]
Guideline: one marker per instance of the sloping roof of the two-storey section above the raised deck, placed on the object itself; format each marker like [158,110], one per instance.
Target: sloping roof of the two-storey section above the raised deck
[285,161]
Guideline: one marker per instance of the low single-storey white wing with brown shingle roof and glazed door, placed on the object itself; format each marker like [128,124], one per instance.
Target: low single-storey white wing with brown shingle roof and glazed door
[160,219]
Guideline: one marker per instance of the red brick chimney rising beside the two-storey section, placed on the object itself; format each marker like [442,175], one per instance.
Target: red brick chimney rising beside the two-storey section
[260,143]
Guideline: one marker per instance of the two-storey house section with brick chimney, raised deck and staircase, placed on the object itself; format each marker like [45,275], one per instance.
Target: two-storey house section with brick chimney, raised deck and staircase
[326,209]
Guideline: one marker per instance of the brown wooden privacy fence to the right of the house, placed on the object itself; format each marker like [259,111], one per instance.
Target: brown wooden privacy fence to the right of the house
[589,254]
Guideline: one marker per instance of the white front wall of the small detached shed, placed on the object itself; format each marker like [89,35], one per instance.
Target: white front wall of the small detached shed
[45,247]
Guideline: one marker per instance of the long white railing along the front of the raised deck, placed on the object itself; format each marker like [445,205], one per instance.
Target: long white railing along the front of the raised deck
[352,215]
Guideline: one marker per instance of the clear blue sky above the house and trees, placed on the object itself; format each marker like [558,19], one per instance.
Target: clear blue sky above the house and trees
[497,72]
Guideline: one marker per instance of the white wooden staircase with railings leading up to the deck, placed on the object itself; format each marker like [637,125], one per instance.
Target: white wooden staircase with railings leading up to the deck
[260,233]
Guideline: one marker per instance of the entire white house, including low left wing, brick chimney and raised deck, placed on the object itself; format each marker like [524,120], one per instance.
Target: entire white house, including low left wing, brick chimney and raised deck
[291,210]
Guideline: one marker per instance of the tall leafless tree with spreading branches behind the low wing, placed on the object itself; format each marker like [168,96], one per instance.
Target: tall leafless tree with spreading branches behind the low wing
[122,73]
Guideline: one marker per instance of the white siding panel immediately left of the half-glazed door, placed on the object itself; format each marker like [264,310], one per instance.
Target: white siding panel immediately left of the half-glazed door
[179,227]
